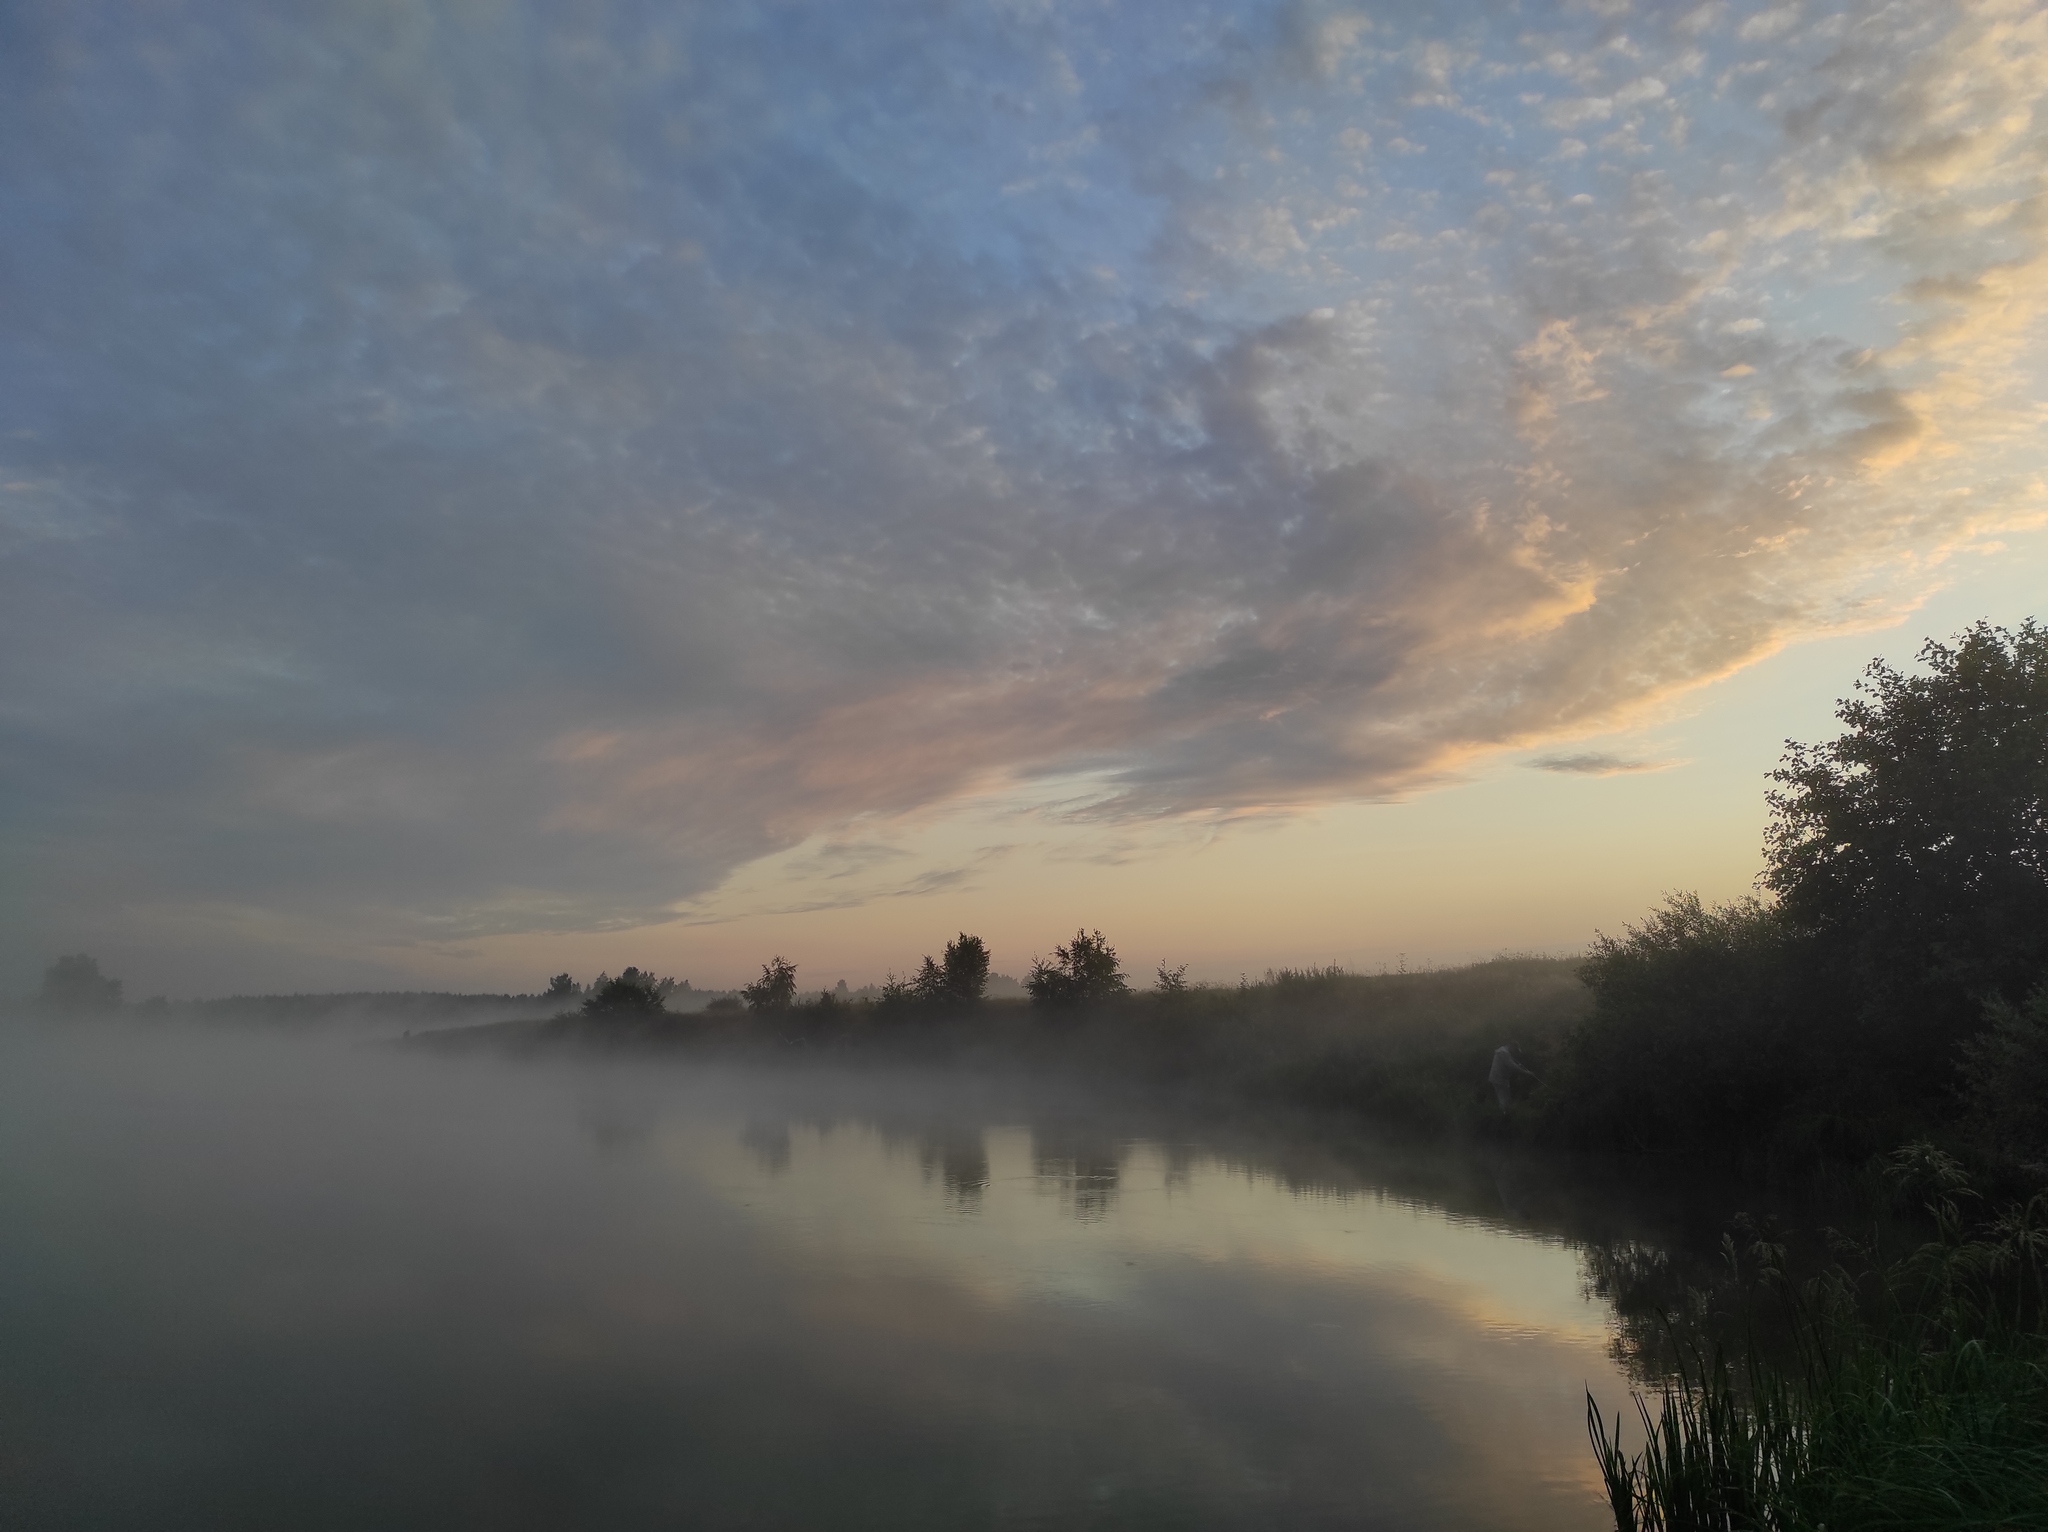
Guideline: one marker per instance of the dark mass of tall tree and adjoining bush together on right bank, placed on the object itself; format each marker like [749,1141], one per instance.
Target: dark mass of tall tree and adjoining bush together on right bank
[1910,859]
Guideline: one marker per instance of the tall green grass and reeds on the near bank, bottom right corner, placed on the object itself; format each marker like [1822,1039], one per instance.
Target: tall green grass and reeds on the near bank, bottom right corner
[1914,1394]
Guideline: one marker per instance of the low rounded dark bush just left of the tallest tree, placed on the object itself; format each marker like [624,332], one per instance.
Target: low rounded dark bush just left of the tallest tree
[1691,1037]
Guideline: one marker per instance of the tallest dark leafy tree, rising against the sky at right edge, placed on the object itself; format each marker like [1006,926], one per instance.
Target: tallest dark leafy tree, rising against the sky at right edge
[1912,853]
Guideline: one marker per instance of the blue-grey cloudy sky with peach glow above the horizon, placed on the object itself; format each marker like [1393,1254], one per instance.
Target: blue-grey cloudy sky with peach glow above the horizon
[493,491]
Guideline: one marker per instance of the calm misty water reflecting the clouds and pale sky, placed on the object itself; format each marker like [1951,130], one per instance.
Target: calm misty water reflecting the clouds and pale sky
[257,1283]
